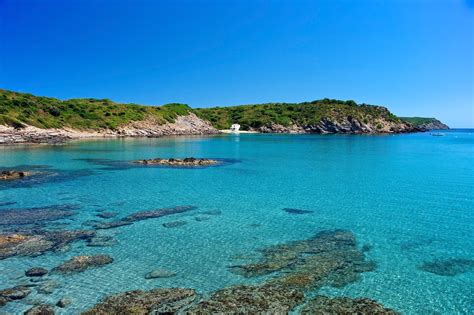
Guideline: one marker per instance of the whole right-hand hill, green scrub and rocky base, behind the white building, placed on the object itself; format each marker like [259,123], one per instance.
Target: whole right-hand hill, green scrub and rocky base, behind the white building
[321,116]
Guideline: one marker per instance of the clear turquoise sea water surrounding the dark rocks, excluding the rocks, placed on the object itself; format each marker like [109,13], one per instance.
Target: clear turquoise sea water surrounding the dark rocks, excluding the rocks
[410,197]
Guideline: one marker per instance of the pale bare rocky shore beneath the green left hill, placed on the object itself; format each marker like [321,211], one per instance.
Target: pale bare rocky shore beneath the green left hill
[183,125]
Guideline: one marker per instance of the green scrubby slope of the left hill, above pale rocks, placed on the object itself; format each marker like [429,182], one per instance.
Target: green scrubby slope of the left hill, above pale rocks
[18,109]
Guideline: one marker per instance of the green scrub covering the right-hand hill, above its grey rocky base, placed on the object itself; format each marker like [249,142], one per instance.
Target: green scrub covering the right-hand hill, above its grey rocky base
[285,114]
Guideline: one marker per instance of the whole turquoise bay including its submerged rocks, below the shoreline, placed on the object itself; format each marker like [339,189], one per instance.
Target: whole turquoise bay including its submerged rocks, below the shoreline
[375,198]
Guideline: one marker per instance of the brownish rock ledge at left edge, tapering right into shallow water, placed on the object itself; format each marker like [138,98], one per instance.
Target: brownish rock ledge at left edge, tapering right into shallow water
[36,243]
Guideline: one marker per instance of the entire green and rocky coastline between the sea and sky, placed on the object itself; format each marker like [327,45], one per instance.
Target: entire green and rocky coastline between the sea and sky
[25,118]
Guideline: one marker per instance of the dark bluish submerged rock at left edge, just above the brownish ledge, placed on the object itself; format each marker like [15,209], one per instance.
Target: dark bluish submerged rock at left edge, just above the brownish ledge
[23,216]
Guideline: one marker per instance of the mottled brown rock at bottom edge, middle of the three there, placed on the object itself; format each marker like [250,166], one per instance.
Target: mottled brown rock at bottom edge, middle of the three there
[265,299]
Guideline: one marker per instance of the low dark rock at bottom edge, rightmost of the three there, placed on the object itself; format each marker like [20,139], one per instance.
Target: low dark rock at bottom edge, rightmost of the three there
[344,306]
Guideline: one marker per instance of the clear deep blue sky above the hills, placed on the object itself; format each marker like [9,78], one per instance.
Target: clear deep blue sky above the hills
[414,56]
